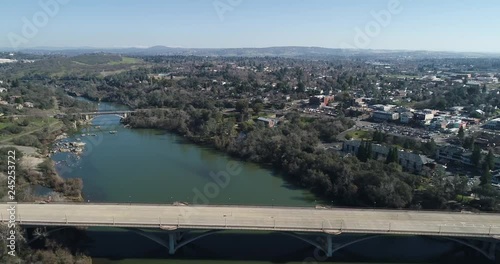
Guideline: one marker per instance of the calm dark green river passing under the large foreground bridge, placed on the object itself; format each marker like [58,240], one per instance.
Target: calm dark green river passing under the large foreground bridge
[151,166]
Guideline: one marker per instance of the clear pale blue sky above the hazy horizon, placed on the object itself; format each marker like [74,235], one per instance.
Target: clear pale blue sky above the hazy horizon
[447,25]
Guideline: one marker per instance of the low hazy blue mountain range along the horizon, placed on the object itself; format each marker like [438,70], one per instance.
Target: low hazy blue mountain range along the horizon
[290,51]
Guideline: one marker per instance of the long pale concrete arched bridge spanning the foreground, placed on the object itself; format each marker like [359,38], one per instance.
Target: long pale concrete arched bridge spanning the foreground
[480,232]
